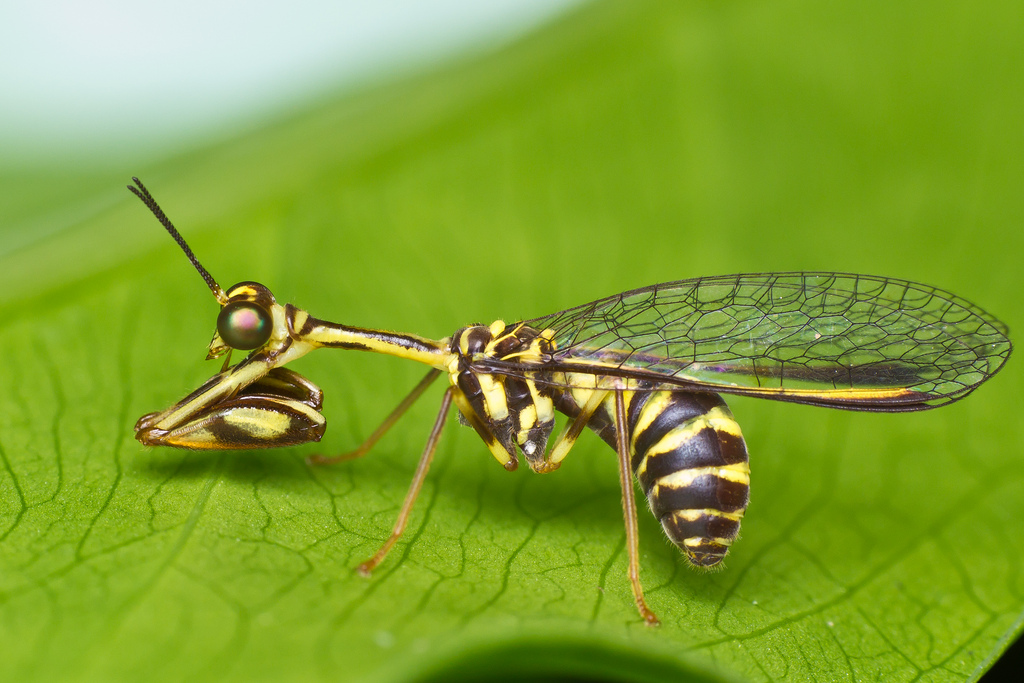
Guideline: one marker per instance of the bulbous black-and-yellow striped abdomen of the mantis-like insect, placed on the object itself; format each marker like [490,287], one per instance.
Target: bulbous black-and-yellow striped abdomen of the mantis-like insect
[691,459]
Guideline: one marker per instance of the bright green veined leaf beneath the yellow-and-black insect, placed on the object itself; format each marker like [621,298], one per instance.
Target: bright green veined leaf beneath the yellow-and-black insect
[628,144]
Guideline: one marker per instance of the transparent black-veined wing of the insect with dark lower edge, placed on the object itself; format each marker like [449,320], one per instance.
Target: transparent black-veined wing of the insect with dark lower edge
[850,341]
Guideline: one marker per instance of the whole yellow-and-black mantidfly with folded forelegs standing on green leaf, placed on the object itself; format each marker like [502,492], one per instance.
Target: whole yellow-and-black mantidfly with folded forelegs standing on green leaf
[645,370]
